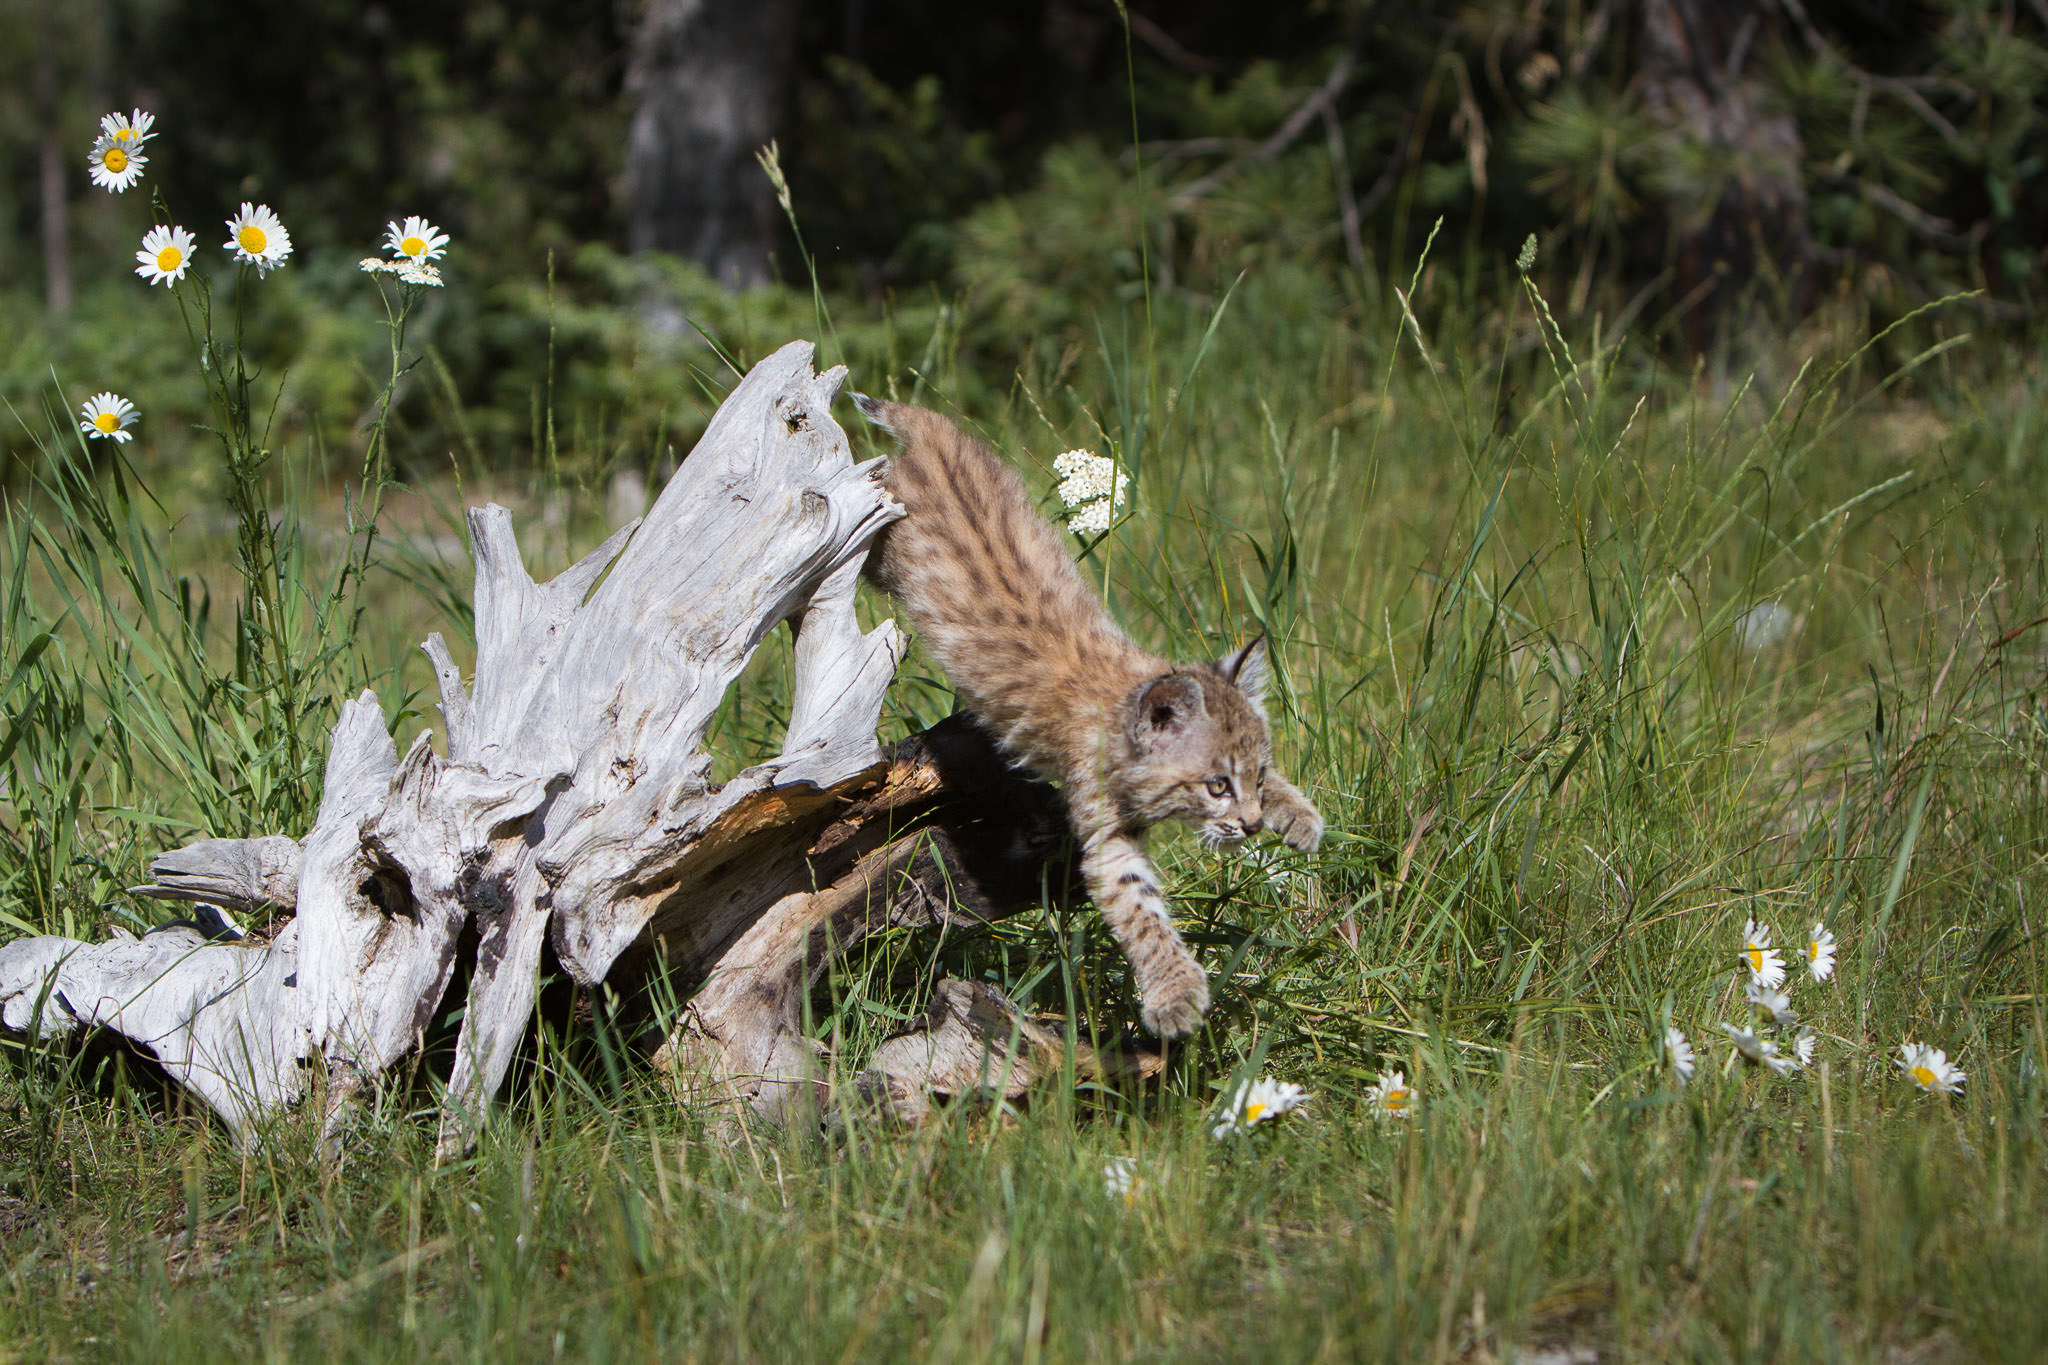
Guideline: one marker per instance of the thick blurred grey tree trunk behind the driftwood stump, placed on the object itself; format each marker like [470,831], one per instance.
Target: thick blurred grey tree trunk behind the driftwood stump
[708,83]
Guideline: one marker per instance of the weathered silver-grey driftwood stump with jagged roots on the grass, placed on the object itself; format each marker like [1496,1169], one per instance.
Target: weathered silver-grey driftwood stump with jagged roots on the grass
[572,805]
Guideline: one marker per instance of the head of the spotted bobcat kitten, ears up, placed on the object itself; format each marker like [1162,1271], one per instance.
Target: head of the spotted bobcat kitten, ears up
[1197,746]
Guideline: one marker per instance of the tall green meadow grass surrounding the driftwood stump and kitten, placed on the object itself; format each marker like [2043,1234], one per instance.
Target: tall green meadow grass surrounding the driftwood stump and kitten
[1508,590]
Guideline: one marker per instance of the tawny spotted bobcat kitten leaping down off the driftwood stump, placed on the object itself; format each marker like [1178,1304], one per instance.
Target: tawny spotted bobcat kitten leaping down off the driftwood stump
[1132,738]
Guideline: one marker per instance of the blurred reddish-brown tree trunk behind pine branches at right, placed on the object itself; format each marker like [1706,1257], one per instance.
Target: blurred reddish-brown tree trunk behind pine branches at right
[1732,185]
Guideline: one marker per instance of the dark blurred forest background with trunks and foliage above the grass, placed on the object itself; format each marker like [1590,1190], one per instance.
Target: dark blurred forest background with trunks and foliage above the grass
[1715,177]
